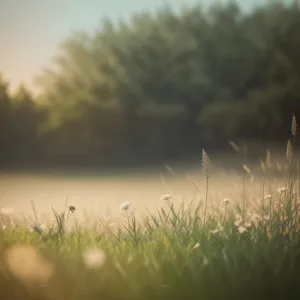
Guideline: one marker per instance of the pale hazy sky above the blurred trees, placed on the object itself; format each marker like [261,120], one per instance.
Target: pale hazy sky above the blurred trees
[30,30]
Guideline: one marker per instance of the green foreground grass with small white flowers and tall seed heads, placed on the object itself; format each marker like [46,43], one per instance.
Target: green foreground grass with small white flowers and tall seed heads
[192,251]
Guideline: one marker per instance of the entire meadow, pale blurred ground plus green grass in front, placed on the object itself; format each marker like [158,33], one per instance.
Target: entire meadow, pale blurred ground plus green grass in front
[213,234]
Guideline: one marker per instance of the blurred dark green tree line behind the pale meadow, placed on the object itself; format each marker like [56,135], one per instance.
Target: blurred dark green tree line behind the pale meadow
[161,86]
